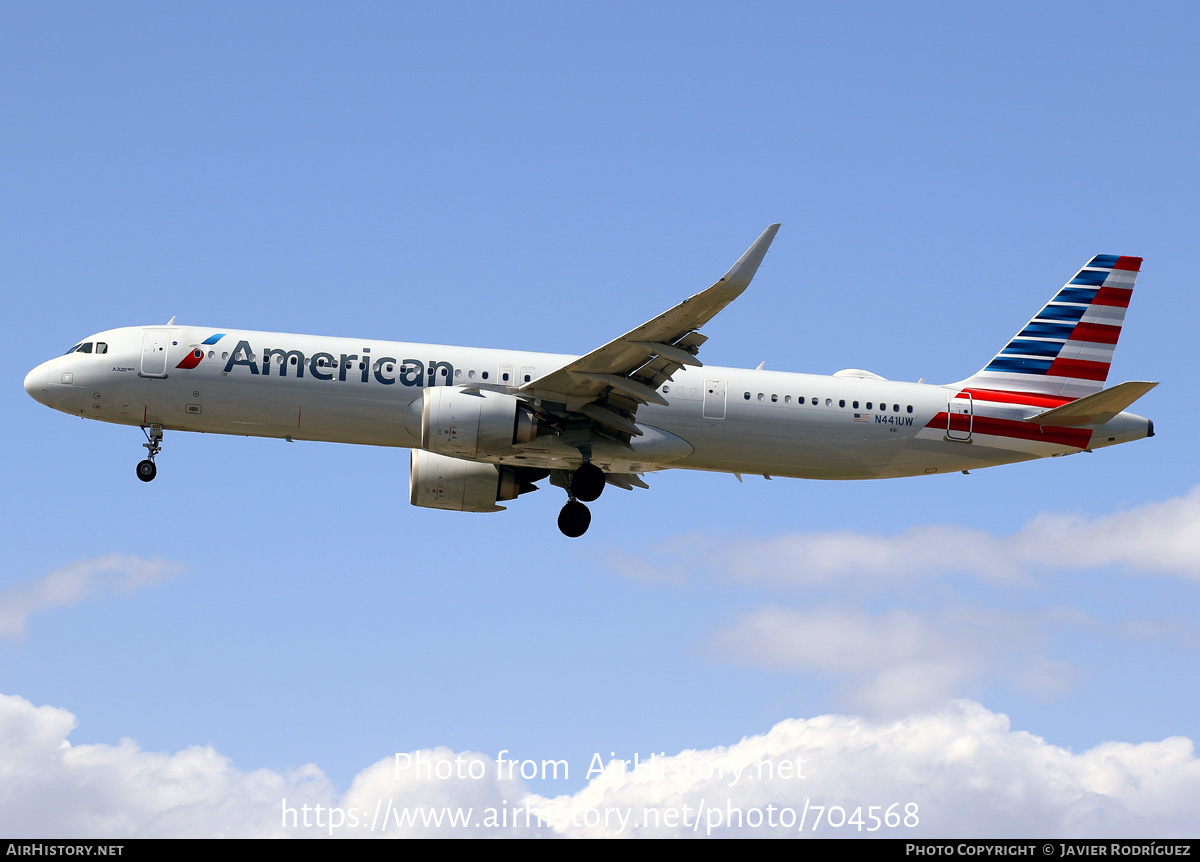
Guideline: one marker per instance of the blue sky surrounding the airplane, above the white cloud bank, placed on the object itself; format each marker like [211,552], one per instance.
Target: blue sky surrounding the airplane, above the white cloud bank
[547,177]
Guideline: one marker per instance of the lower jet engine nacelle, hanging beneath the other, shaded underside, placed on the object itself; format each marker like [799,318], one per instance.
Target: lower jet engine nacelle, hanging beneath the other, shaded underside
[437,482]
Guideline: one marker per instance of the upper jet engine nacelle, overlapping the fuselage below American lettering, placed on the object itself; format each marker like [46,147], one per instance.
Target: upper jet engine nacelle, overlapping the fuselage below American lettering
[467,423]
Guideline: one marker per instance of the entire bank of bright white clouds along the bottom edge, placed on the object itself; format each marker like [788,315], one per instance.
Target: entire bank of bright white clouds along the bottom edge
[963,769]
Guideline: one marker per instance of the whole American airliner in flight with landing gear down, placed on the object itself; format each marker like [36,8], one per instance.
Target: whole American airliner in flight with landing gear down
[485,426]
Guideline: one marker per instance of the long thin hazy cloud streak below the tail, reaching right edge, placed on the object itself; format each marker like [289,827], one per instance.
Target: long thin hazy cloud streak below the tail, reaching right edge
[1161,537]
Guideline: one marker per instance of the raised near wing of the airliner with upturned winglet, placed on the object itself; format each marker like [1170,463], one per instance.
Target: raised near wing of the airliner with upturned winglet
[607,387]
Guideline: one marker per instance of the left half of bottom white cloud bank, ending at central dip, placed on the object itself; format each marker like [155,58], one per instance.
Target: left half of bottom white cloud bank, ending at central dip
[50,789]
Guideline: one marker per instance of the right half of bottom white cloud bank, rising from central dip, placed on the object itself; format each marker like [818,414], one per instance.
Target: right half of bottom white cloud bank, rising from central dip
[963,768]
